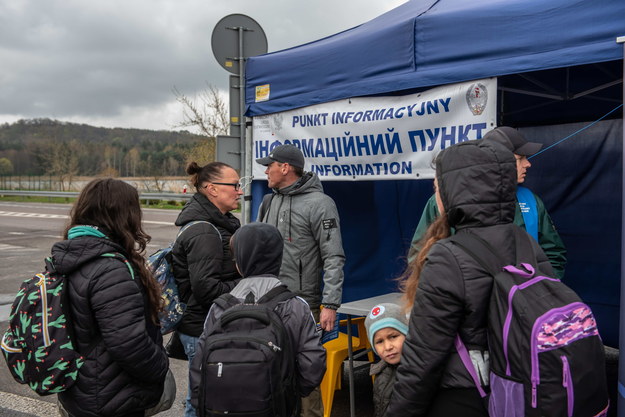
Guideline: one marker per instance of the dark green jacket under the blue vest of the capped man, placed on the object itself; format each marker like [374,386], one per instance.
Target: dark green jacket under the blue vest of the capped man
[548,236]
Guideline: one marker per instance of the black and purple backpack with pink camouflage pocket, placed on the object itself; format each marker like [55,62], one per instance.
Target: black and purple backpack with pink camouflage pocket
[546,355]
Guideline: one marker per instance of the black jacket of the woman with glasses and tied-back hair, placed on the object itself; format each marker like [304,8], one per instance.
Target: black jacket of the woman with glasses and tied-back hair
[203,264]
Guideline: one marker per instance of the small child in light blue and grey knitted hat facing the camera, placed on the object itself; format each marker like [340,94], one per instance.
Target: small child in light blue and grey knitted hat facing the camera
[387,326]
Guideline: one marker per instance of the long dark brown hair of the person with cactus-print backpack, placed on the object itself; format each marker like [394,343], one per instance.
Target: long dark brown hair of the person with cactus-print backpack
[113,206]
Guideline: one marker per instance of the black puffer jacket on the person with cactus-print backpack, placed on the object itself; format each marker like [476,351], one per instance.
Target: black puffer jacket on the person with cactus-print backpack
[125,372]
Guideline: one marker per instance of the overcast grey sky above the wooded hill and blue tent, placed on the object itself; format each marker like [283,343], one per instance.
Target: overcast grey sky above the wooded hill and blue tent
[114,63]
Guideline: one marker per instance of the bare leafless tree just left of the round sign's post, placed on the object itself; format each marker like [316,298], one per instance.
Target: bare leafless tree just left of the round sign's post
[207,113]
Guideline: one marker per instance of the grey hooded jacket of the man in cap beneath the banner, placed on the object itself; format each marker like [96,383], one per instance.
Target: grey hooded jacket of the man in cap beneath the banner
[309,223]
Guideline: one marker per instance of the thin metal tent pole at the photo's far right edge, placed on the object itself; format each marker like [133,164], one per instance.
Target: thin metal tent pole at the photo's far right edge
[621,362]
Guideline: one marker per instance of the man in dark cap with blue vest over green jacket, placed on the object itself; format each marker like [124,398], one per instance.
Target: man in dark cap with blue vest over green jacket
[530,211]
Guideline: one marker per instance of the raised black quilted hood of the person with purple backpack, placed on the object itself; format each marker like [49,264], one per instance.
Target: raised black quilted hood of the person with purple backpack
[477,182]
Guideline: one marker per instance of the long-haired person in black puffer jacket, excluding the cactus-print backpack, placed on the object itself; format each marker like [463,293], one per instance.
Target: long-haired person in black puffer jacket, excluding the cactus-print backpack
[114,312]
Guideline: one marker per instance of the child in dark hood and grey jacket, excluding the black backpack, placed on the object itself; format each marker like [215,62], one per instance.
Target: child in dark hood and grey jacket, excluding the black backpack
[257,250]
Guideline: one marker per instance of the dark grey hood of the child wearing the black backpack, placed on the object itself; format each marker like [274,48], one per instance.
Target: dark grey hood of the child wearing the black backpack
[257,249]
